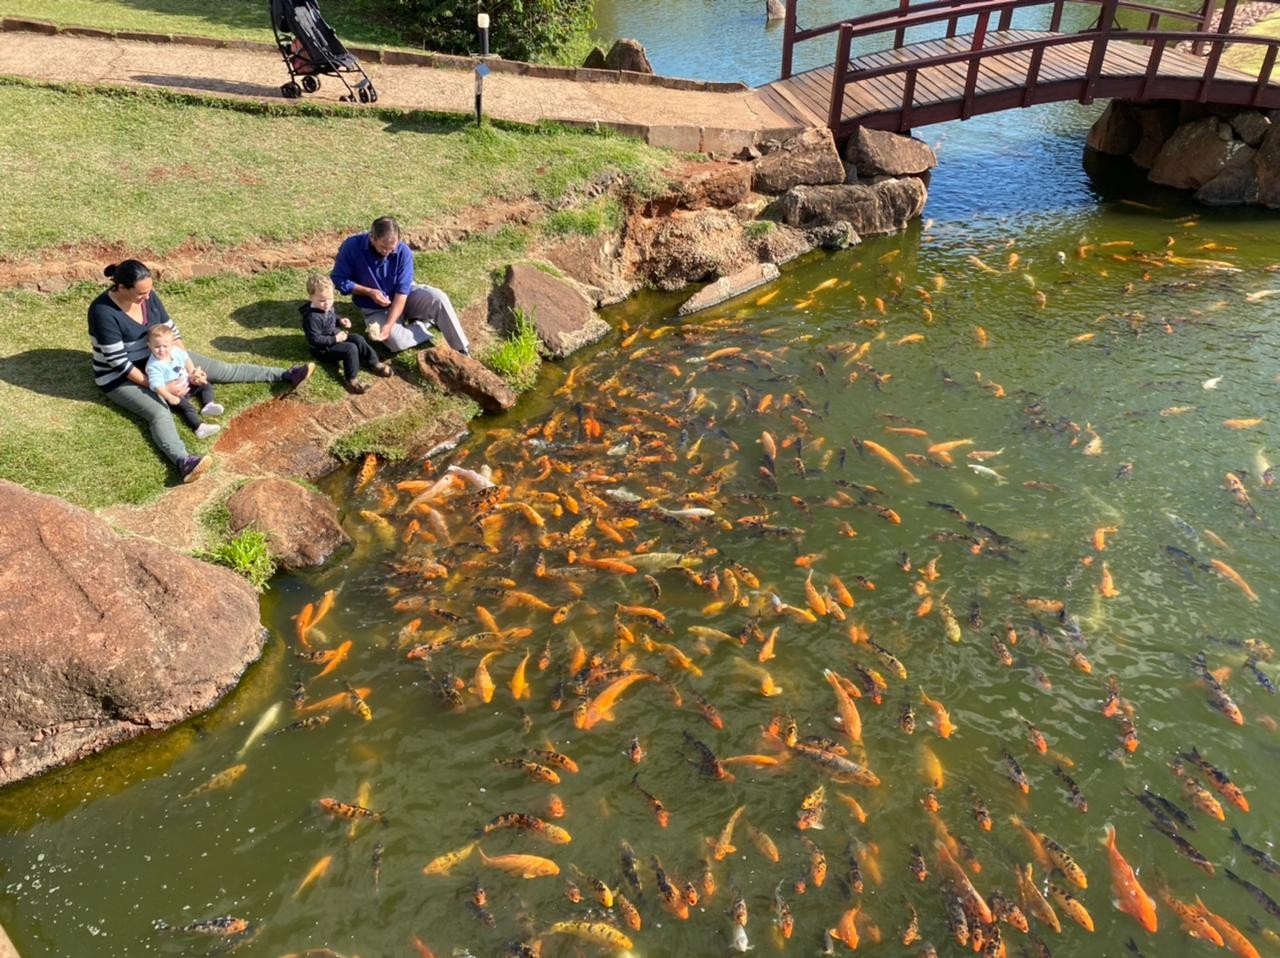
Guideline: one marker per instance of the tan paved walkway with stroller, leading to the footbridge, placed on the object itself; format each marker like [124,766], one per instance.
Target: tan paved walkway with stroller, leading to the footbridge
[682,120]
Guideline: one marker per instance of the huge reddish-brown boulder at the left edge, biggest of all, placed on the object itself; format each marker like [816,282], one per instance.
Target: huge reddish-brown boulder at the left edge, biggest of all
[103,637]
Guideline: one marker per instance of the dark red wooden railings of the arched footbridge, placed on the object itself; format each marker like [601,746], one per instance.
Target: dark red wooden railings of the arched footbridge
[908,16]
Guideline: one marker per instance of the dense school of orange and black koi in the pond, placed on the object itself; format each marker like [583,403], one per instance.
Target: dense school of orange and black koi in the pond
[596,568]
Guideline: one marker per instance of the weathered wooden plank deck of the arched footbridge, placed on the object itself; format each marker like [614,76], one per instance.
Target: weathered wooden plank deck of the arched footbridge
[808,95]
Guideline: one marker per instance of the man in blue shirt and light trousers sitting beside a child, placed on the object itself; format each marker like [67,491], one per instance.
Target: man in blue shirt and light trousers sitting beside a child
[377,271]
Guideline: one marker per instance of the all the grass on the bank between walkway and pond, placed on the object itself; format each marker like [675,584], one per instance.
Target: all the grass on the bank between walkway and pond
[80,191]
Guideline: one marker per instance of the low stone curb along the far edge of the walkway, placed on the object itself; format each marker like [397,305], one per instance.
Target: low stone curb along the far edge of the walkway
[396,58]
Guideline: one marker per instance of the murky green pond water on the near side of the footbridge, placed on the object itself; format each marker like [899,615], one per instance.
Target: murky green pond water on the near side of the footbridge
[1123,340]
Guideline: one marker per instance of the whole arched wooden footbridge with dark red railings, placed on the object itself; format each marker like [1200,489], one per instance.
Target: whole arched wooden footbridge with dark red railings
[976,62]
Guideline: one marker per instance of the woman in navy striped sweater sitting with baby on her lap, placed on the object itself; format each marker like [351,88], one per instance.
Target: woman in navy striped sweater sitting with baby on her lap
[118,325]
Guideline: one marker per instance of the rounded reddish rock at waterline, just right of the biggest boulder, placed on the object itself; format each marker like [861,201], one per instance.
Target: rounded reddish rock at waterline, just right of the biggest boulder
[301,526]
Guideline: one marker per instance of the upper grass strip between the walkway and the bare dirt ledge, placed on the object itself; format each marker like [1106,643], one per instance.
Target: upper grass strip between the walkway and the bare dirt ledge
[162,171]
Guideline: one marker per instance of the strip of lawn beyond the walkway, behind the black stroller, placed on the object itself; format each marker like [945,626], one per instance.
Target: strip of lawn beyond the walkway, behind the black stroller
[232,20]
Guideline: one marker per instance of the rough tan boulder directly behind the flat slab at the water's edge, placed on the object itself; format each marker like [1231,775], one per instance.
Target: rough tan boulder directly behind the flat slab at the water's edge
[688,247]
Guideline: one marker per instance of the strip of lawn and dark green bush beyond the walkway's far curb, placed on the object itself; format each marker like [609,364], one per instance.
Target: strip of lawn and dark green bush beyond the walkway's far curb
[543,31]
